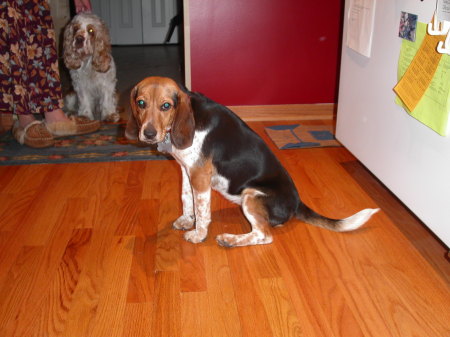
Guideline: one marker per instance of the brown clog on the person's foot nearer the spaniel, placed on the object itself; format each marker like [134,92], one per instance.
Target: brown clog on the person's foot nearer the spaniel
[74,126]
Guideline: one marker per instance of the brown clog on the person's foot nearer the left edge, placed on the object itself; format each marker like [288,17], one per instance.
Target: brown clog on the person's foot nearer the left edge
[34,135]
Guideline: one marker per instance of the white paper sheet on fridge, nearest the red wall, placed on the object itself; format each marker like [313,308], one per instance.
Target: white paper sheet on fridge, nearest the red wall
[361,17]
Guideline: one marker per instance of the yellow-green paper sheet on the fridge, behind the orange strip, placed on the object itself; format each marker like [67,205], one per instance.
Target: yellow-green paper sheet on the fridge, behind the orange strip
[433,107]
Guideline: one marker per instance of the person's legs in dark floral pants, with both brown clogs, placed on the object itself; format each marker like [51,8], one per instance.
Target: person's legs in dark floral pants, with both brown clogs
[37,88]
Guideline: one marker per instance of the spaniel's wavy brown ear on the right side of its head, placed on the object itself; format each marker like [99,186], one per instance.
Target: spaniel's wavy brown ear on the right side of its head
[101,60]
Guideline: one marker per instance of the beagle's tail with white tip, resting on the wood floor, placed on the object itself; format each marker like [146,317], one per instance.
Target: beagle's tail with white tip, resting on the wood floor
[306,214]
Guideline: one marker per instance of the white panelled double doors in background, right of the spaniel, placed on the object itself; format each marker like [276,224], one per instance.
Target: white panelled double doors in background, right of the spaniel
[137,21]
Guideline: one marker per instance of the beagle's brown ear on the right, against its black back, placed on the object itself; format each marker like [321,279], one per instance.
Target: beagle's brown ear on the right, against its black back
[183,125]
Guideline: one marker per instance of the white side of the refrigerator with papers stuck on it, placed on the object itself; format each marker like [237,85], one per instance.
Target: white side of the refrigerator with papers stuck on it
[412,160]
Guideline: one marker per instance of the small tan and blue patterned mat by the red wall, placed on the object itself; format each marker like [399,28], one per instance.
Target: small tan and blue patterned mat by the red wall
[298,136]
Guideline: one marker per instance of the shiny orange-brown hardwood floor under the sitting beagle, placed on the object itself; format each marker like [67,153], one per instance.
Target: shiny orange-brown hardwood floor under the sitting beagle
[88,250]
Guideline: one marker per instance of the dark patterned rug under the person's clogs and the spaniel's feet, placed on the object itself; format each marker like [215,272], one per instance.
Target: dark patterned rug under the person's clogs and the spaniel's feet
[107,144]
